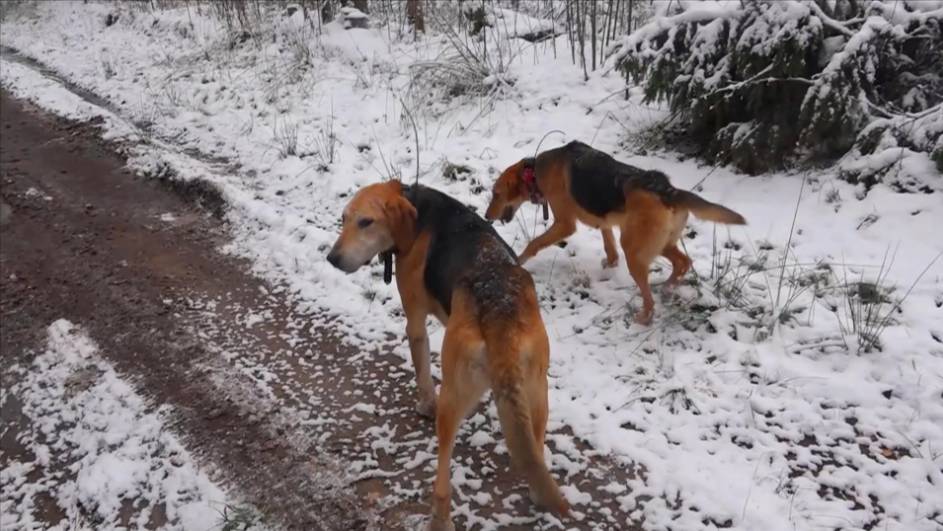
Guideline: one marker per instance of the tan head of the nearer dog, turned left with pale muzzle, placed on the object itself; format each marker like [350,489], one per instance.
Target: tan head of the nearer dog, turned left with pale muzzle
[378,218]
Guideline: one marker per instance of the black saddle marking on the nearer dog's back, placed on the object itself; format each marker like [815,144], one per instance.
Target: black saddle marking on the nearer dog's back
[464,249]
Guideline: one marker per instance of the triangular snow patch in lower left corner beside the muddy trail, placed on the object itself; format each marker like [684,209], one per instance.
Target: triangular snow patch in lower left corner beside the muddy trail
[99,448]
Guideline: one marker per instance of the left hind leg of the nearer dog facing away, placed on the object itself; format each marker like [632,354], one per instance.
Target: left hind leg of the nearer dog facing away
[464,381]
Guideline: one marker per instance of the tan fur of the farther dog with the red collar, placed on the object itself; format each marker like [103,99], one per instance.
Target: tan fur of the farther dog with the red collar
[649,226]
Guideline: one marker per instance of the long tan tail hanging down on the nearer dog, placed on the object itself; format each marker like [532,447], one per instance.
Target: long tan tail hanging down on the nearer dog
[514,414]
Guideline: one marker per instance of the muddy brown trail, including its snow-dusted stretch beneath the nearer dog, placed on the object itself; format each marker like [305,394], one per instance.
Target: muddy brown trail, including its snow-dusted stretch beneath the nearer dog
[312,432]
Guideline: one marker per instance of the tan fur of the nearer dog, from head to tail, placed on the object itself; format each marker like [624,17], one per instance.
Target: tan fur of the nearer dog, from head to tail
[481,350]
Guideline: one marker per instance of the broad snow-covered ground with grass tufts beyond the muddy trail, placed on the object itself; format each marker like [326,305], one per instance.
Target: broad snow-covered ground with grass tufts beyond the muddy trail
[750,402]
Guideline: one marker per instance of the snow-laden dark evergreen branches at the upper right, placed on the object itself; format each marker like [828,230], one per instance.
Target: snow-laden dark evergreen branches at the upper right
[762,84]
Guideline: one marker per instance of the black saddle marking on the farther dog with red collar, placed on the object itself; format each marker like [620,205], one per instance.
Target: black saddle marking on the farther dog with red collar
[598,182]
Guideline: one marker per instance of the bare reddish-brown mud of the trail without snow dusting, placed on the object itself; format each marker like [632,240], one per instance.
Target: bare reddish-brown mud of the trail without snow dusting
[84,240]
